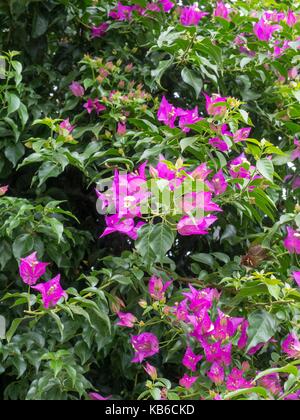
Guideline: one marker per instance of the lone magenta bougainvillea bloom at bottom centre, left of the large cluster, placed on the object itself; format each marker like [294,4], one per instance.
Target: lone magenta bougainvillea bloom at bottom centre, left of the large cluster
[145,345]
